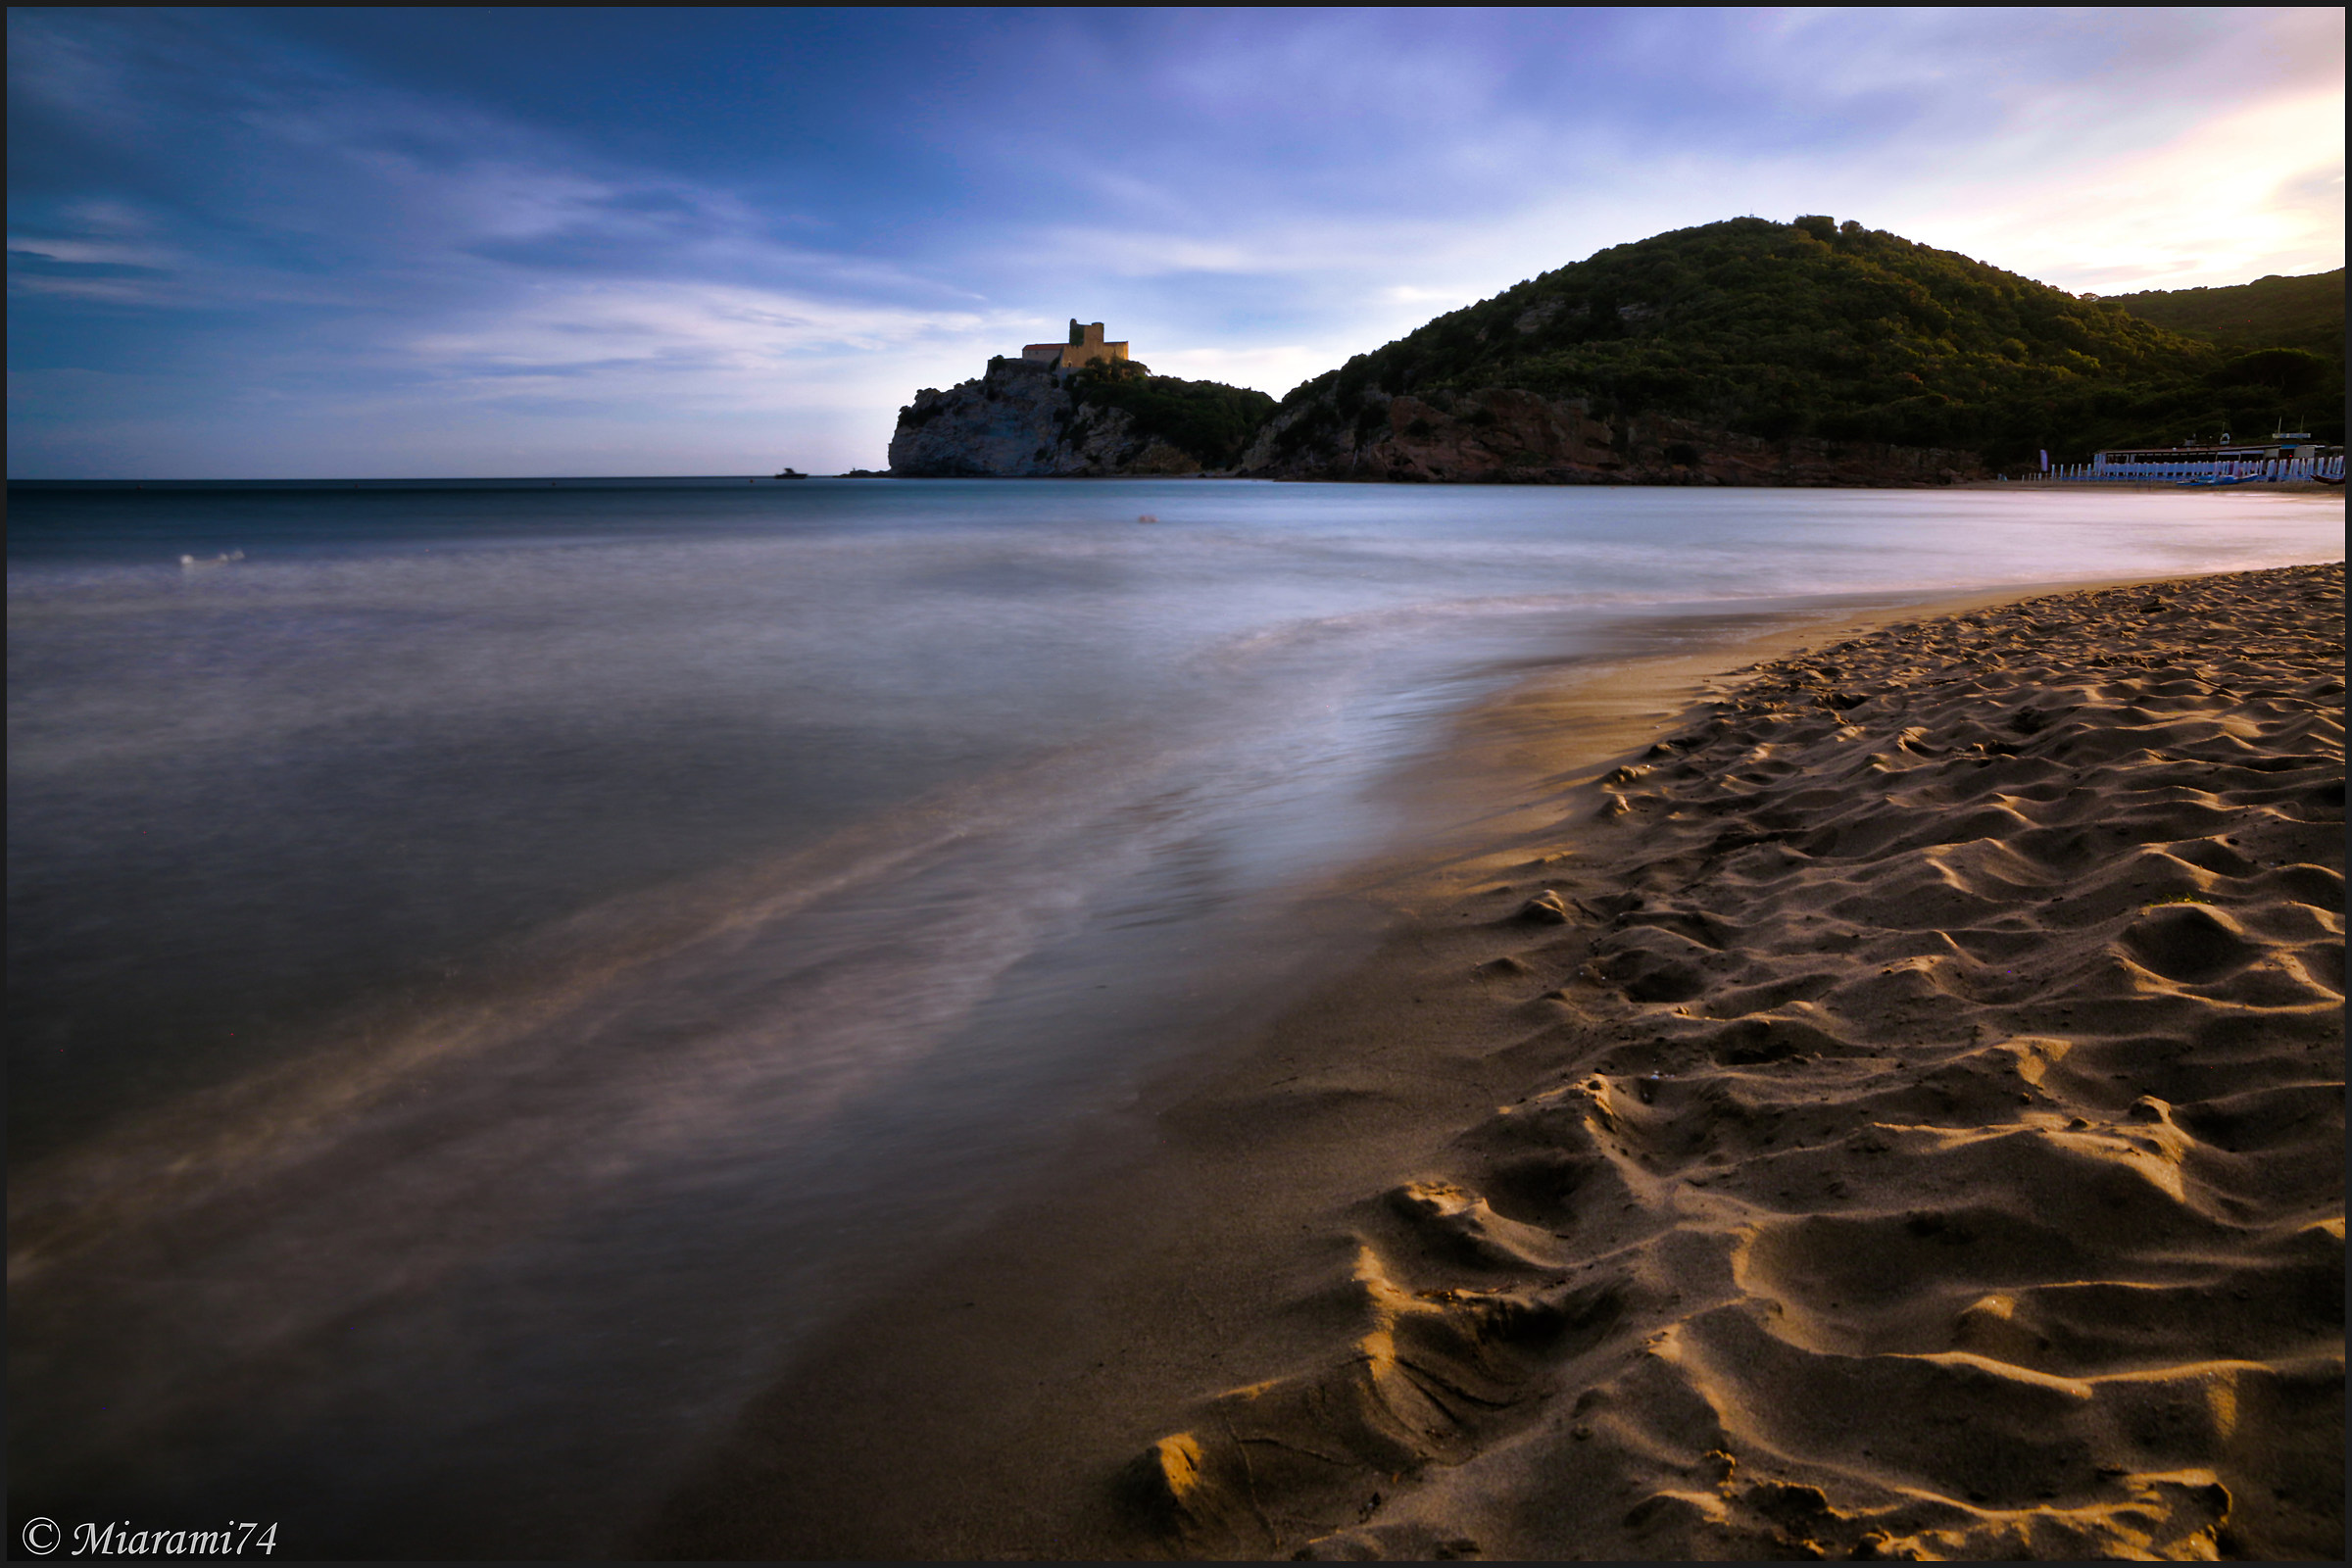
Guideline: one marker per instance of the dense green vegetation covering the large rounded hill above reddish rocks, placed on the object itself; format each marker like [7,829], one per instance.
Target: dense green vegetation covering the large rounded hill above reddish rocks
[1845,333]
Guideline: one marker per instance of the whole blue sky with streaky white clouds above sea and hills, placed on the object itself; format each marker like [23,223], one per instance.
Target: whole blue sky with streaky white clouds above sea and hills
[434,243]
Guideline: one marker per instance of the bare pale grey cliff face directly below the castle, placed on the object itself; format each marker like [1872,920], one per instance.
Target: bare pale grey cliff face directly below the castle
[1022,422]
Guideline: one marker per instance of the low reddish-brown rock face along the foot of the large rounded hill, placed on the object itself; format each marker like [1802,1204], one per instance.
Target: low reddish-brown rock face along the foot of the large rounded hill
[1504,436]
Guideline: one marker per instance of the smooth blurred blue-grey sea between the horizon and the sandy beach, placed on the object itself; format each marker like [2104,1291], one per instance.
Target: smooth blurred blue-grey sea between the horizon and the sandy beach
[497,965]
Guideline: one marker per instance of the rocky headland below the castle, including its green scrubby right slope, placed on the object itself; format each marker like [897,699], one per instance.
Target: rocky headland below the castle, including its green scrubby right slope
[1022,422]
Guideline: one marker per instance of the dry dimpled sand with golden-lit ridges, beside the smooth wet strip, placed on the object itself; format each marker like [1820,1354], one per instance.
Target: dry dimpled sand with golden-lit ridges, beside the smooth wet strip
[1927,1134]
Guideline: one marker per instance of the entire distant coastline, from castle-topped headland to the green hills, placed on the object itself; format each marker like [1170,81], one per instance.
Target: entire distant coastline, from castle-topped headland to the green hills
[1742,354]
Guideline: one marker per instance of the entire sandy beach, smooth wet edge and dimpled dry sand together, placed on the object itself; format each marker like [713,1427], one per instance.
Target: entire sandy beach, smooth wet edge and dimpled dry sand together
[1885,1101]
